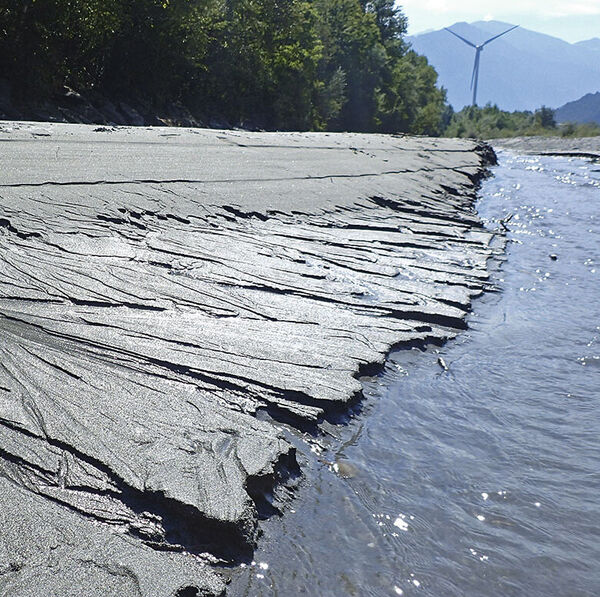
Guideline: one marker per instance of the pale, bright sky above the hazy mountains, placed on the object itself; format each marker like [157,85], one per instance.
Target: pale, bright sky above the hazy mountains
[573,20]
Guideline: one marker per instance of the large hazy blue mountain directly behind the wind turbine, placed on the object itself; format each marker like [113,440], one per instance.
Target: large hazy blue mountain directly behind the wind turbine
[522,70]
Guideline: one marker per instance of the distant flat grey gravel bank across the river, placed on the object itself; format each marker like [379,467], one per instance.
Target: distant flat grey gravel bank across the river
[585,147]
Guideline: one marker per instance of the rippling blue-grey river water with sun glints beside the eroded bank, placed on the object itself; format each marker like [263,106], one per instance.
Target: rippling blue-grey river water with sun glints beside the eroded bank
[483,479]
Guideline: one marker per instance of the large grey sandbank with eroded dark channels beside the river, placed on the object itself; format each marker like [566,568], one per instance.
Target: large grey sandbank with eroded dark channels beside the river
[159,288]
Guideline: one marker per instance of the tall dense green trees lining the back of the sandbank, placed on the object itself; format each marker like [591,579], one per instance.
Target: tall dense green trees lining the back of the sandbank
[281,64]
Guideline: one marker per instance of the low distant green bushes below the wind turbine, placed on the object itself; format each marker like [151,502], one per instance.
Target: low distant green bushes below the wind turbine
[489,122]
